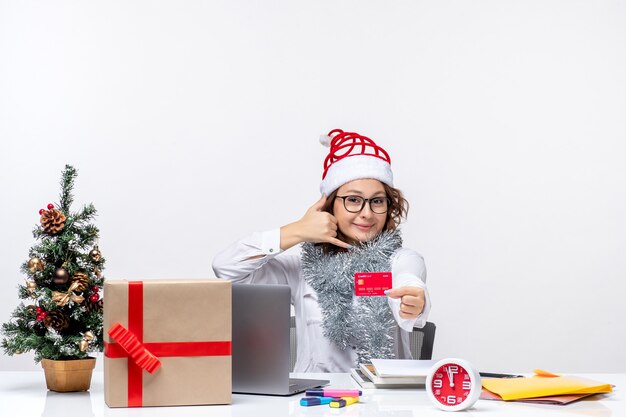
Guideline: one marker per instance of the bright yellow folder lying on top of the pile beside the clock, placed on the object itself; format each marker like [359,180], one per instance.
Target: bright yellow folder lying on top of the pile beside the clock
[543,386]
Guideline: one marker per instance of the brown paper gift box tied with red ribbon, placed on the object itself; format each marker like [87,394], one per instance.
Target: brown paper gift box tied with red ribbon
[167,343]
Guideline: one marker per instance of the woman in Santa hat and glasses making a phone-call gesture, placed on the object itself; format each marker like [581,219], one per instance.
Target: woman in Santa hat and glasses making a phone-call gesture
[351,229]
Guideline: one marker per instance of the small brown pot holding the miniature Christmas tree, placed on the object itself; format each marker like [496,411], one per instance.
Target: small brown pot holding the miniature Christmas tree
[68,376]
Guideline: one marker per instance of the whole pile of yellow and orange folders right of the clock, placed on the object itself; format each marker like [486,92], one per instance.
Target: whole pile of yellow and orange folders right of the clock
[544,387]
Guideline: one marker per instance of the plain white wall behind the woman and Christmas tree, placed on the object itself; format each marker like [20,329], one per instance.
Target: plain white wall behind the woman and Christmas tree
[194,123]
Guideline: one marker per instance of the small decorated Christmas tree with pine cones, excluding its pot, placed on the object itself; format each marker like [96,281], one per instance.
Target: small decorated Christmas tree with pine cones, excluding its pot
[62,317]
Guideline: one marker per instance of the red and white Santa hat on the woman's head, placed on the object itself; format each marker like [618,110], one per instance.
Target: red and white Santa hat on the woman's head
[353,157]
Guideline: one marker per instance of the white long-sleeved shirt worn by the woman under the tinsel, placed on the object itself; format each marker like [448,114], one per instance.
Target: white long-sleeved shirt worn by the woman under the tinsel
[258,259]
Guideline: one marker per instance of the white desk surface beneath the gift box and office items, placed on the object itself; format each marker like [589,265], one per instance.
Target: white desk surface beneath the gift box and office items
[24,394]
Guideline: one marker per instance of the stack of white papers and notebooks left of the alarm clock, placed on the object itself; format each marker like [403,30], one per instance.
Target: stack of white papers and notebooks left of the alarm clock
[392,373]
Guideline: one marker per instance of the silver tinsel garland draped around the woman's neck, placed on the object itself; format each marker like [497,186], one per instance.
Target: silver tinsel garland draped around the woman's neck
[365,324]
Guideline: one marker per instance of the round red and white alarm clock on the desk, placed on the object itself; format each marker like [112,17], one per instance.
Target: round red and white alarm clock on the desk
[453,384]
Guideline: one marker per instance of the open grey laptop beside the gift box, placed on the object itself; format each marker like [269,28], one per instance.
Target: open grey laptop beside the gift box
[261,322]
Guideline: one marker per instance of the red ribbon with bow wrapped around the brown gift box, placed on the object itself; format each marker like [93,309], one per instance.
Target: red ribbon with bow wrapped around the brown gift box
[145,355]
